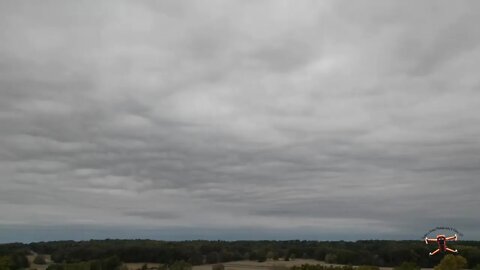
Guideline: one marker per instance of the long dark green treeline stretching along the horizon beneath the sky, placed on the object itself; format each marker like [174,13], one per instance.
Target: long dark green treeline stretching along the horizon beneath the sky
[374,252]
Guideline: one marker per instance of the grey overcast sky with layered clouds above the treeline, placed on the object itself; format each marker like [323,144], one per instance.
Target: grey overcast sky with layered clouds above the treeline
[239,119]
